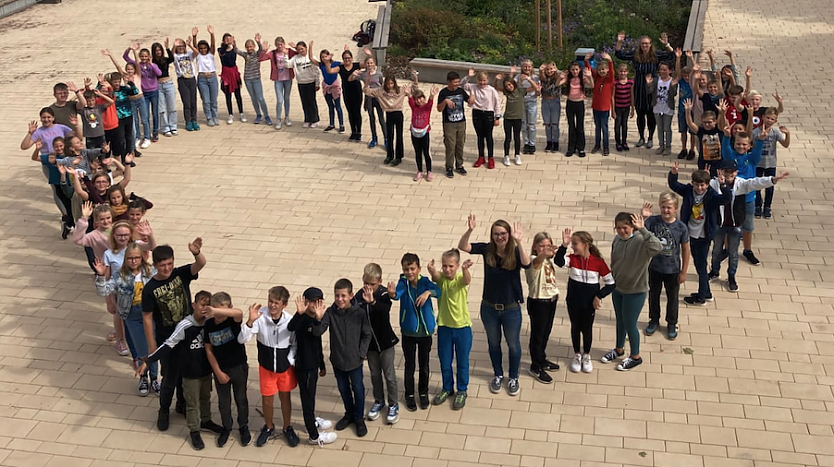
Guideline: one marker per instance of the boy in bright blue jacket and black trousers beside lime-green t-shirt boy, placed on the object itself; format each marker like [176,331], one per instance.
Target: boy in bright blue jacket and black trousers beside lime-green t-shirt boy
[417,325]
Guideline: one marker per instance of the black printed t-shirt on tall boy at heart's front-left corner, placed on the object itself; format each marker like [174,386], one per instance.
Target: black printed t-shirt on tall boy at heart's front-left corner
[169,300]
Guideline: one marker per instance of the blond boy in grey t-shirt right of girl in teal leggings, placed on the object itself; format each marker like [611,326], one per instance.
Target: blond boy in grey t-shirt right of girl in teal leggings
[667,269]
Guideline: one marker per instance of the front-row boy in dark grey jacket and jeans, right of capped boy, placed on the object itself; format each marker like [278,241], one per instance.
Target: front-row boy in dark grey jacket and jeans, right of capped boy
[350,338]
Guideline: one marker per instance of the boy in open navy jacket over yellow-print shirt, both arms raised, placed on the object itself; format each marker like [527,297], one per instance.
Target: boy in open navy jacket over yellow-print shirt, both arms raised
[700,214]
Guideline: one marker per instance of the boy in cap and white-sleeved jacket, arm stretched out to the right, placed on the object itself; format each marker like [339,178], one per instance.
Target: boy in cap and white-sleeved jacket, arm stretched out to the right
[732,215]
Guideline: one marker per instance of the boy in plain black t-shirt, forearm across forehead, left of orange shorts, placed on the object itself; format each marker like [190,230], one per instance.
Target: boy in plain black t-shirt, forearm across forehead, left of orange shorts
[227,358]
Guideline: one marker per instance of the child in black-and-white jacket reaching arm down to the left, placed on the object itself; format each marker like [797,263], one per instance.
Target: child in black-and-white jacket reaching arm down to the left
[186,345]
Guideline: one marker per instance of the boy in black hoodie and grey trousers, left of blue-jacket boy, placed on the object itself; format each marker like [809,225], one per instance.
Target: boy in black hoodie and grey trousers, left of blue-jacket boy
[376,303]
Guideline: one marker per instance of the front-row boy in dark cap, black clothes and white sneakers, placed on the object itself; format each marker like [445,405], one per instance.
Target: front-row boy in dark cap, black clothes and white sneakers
[309,362]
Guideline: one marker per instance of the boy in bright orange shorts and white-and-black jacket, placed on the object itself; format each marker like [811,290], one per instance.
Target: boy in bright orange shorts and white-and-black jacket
[276,357]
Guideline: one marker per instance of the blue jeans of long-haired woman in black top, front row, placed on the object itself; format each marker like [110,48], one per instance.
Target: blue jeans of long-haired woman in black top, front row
[510,321]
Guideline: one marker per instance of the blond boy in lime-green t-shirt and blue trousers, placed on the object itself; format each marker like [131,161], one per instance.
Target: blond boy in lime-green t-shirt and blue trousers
[454,325]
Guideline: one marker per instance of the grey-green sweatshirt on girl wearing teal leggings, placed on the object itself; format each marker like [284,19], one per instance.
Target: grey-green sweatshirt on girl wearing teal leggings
[630,260]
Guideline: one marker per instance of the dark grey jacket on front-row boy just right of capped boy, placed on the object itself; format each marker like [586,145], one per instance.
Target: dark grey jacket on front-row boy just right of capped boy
[350,336]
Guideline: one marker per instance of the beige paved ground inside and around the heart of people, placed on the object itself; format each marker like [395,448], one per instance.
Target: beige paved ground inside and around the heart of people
[748,382]
